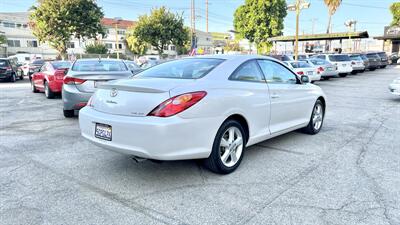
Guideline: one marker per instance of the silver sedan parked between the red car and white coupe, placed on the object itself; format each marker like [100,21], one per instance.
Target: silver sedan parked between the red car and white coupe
[85,76]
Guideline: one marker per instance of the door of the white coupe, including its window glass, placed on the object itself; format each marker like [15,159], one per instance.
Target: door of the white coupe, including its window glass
[291,101]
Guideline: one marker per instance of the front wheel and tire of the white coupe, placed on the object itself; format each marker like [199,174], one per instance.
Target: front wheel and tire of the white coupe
[316,120]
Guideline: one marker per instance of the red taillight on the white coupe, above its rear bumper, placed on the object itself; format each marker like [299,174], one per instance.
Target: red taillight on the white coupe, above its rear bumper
[177,104]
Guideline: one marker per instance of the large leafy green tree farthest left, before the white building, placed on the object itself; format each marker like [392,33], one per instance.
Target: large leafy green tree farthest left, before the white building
[56,21]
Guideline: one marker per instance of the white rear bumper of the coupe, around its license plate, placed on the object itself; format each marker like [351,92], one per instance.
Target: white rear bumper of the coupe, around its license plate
[172,138]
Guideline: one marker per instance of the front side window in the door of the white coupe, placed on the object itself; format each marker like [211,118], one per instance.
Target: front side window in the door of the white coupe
[276,73]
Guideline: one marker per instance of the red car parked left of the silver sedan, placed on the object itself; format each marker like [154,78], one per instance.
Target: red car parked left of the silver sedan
[49,78]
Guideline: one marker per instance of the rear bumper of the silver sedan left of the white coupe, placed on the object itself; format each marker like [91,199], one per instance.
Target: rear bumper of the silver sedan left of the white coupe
[73,99]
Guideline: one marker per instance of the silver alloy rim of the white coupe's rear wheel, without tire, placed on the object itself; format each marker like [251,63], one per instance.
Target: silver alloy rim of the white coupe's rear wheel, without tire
[231,146]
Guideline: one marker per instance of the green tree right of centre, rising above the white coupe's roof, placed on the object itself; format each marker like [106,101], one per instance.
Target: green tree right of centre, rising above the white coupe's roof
[257,20]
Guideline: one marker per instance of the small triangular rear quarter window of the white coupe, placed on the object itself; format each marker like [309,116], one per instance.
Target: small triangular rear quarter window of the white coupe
[248,71]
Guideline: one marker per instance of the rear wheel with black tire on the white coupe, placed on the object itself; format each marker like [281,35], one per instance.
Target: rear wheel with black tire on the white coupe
[227,151]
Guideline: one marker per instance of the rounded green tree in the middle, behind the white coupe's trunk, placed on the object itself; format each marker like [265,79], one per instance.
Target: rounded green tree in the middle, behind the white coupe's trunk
[161,28]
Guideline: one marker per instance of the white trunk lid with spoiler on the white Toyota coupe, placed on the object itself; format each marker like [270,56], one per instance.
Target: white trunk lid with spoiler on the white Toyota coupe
[134,97]
